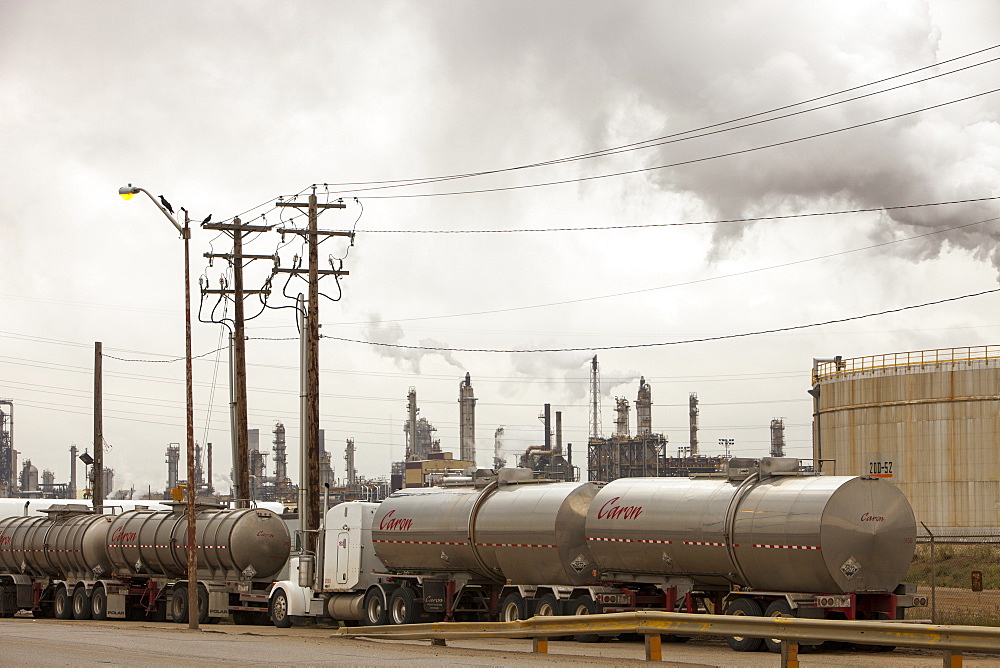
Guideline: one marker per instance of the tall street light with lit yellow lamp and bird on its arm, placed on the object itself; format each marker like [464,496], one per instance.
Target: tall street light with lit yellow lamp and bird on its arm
[126,193]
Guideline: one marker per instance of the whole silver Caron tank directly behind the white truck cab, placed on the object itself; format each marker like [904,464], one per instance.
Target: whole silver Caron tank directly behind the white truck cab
[518,530]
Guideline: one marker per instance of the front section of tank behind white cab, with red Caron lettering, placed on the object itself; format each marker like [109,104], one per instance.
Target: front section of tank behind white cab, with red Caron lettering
[427,530]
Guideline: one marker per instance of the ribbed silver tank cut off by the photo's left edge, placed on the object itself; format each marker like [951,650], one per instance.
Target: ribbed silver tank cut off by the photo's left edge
[68,542]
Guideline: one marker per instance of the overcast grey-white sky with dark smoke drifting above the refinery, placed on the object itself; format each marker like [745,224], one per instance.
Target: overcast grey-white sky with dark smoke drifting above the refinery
[738,122]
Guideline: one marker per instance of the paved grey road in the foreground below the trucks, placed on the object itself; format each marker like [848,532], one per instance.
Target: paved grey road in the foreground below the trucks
[48,642]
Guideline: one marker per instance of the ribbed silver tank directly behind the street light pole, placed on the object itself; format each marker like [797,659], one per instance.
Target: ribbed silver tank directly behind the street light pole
[243,543]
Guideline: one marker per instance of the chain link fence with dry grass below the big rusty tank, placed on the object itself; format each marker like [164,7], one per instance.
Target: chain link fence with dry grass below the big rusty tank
[960,574]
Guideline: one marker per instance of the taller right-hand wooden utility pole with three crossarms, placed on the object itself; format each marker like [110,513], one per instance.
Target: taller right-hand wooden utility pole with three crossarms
[311,395]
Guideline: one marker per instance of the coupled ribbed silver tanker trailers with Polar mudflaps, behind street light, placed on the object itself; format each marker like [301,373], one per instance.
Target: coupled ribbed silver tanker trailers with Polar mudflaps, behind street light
[72,563]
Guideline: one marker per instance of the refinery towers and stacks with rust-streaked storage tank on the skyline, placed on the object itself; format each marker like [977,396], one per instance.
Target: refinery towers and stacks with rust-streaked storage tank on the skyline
[923,420]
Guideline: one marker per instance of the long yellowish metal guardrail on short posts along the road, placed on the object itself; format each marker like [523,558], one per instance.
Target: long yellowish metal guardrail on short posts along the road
[952,639]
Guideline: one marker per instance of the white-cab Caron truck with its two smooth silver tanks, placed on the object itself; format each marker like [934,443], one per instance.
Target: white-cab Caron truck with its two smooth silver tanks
[763,539]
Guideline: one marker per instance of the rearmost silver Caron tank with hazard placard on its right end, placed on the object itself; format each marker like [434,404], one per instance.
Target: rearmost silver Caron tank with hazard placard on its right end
[819,534]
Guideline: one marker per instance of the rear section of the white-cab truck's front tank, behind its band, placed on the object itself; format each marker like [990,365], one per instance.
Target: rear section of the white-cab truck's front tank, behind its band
[534,533]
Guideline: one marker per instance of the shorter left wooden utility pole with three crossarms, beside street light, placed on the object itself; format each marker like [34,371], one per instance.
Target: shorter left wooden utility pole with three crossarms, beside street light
[238,370]
